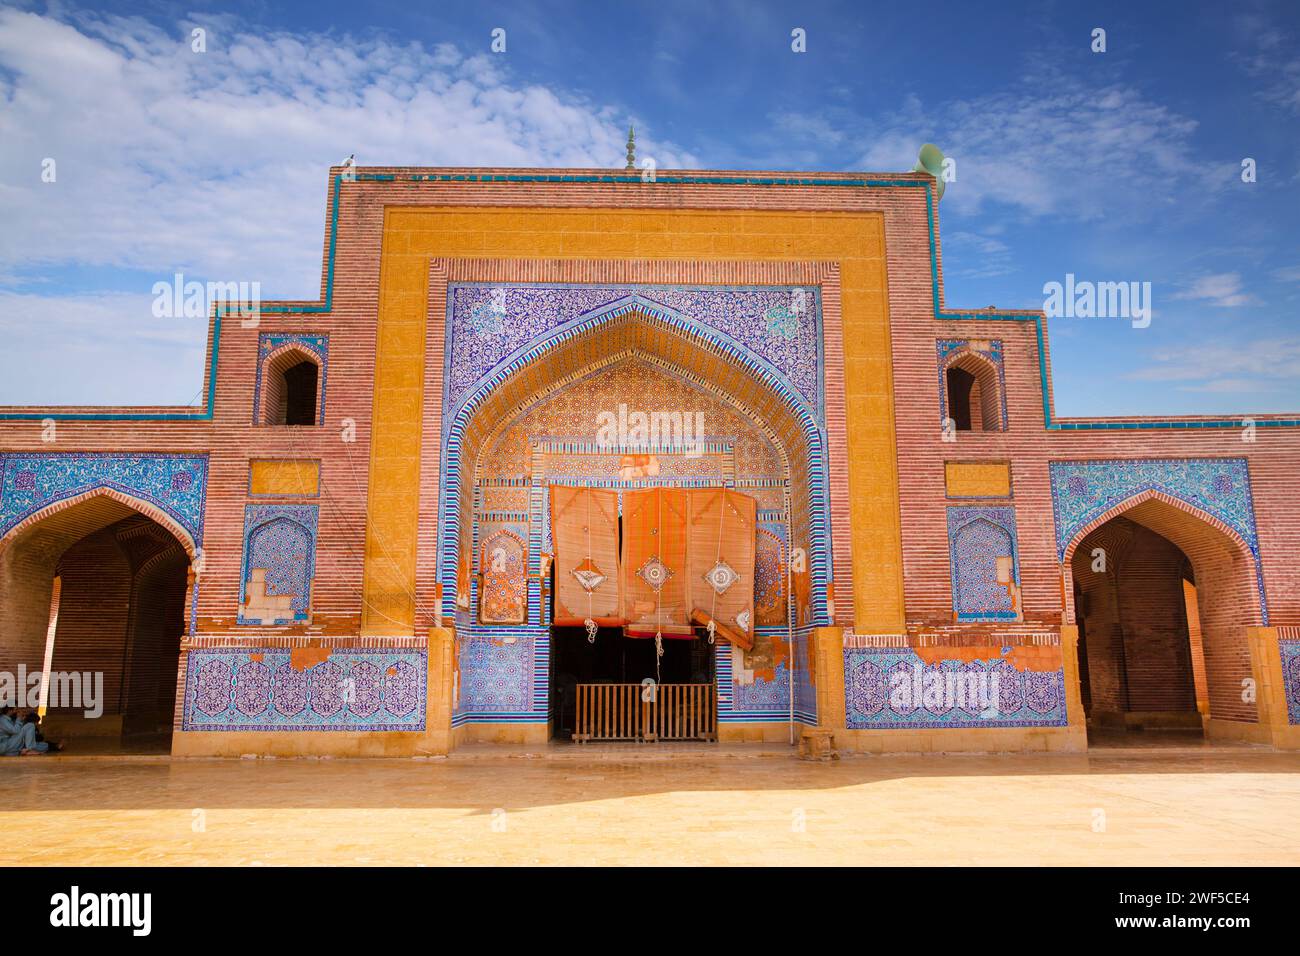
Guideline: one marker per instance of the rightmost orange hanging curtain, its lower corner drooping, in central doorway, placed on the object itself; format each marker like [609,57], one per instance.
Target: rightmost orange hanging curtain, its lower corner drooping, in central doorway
[722,544]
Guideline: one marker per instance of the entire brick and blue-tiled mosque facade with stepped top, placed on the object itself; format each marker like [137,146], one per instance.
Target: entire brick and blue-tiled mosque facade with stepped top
[378,578]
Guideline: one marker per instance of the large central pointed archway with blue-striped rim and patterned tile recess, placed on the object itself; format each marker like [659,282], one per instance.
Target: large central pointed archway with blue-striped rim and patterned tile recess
[586,354]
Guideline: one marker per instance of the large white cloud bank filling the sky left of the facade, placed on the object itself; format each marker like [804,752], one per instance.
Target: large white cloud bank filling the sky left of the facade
[215,165]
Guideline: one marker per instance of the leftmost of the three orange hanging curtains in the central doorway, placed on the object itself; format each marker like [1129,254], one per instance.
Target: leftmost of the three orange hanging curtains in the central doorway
[586,535]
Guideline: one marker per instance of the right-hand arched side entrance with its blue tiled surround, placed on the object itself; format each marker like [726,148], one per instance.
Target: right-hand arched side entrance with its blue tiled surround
[1163,590]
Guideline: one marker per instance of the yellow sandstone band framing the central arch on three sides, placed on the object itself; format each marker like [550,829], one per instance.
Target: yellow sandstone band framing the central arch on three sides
[413,236]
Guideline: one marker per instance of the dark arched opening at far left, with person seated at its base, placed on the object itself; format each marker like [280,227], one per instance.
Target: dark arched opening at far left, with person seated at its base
[124,578]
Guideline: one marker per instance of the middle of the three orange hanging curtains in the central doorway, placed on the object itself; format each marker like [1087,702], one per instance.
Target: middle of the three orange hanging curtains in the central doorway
[656,569]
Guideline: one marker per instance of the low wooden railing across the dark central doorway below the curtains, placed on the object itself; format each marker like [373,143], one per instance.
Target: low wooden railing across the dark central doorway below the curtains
[622,712]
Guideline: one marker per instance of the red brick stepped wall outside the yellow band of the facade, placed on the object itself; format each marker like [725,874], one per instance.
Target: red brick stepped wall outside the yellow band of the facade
[233,440]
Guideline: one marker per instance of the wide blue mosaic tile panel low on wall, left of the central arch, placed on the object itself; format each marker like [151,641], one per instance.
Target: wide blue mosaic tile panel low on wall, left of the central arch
[261,690]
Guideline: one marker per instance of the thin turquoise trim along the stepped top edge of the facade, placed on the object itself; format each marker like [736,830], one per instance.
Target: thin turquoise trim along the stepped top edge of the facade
[206,416]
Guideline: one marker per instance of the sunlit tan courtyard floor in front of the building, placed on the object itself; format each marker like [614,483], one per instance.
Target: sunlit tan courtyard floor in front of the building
[653,806]
